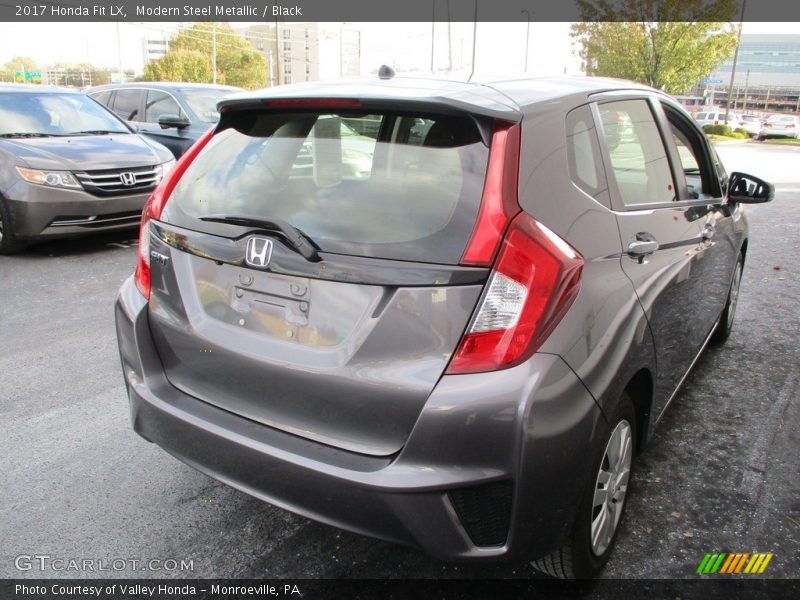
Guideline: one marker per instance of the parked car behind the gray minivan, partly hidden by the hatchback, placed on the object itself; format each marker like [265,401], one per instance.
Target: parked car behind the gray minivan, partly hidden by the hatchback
[173,114]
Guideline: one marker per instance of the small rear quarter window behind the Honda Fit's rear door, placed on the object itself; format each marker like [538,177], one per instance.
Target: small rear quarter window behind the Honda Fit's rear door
[583,155]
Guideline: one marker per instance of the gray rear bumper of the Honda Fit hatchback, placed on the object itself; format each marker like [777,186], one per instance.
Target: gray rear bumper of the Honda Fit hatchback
[526,429]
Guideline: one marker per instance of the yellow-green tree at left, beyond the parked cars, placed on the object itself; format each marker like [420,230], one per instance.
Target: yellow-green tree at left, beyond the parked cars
[189,58]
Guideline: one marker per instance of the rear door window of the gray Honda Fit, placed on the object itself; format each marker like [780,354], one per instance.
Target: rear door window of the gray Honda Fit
[638,158]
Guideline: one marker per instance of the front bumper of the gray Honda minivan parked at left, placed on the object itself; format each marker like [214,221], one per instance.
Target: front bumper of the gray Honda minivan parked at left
[38,211]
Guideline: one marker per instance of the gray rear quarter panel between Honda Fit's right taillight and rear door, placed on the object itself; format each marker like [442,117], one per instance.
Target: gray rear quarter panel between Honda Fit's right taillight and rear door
[604,337]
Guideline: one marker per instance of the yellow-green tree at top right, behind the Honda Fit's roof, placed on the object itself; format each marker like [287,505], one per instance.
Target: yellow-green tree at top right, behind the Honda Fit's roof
[666,44]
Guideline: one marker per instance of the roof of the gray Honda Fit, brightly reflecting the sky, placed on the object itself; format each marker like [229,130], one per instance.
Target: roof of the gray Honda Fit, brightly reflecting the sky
[503,98]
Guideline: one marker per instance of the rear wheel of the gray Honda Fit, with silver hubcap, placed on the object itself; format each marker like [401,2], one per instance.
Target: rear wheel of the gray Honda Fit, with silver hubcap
[581,558]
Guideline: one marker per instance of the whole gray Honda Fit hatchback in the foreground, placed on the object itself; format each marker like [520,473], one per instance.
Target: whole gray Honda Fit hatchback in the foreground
[462,346]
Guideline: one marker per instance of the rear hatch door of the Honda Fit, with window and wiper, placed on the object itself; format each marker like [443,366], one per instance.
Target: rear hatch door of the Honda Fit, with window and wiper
[307,269]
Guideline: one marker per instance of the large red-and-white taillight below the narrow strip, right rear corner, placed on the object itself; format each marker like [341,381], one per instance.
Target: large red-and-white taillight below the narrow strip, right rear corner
[534,282]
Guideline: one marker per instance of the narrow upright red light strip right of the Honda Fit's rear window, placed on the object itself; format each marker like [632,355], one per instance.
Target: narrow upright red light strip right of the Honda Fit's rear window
[499,202]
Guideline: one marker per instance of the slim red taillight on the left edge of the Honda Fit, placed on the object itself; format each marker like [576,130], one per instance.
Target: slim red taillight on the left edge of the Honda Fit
[153,208]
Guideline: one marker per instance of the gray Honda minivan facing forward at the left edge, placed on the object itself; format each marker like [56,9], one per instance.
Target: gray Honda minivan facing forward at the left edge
[69,167]
